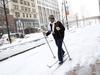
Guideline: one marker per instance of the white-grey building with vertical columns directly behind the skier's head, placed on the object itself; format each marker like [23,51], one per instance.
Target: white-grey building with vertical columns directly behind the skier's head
[46,8]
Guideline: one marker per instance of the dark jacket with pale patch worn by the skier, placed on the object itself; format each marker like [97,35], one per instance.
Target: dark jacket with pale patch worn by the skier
[57,34]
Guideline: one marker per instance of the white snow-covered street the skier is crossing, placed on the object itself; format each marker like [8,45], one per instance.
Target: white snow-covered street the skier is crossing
[83,45]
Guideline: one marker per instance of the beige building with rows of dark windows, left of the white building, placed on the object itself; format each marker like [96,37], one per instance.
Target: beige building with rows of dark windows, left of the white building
[24,12]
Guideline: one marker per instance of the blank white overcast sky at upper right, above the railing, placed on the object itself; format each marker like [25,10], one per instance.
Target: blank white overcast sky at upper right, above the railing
[83,7]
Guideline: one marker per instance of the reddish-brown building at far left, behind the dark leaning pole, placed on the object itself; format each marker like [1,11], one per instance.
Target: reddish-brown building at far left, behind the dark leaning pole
[11,21]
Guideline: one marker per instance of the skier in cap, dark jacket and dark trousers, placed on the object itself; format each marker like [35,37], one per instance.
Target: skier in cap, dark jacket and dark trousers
[57,29]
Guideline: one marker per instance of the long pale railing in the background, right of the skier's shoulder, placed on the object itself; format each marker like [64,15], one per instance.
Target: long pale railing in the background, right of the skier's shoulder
[83,22]
